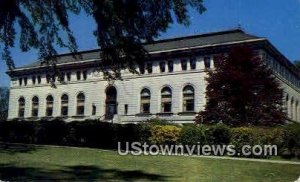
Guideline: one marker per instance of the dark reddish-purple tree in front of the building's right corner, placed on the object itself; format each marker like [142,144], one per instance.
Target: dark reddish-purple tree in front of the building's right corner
[241,90]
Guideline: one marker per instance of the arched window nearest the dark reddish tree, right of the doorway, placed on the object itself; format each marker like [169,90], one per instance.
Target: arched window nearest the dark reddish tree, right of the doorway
[188,98]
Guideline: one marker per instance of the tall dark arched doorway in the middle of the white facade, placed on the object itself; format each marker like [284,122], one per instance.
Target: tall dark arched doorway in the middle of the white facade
[110,102]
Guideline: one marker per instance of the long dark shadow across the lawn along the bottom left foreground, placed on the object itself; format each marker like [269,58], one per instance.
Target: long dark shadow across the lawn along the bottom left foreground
[11,172]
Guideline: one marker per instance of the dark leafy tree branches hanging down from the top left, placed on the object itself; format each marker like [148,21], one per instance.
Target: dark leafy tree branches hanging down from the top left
[122,26]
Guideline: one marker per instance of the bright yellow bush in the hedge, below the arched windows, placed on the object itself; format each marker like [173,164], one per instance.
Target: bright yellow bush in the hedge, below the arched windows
[166,134]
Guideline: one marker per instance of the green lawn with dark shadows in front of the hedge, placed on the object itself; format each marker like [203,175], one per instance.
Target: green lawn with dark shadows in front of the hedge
[21,163]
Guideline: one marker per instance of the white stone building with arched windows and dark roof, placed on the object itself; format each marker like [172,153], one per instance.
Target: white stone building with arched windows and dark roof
[172,85]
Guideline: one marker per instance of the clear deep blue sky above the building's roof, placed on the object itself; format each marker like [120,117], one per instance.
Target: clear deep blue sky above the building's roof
[278,21]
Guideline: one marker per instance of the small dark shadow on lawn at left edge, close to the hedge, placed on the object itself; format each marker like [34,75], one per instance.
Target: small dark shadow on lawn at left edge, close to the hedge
[17,148]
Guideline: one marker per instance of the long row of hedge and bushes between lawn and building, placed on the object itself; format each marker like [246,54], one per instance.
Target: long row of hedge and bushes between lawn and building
[92,133]
